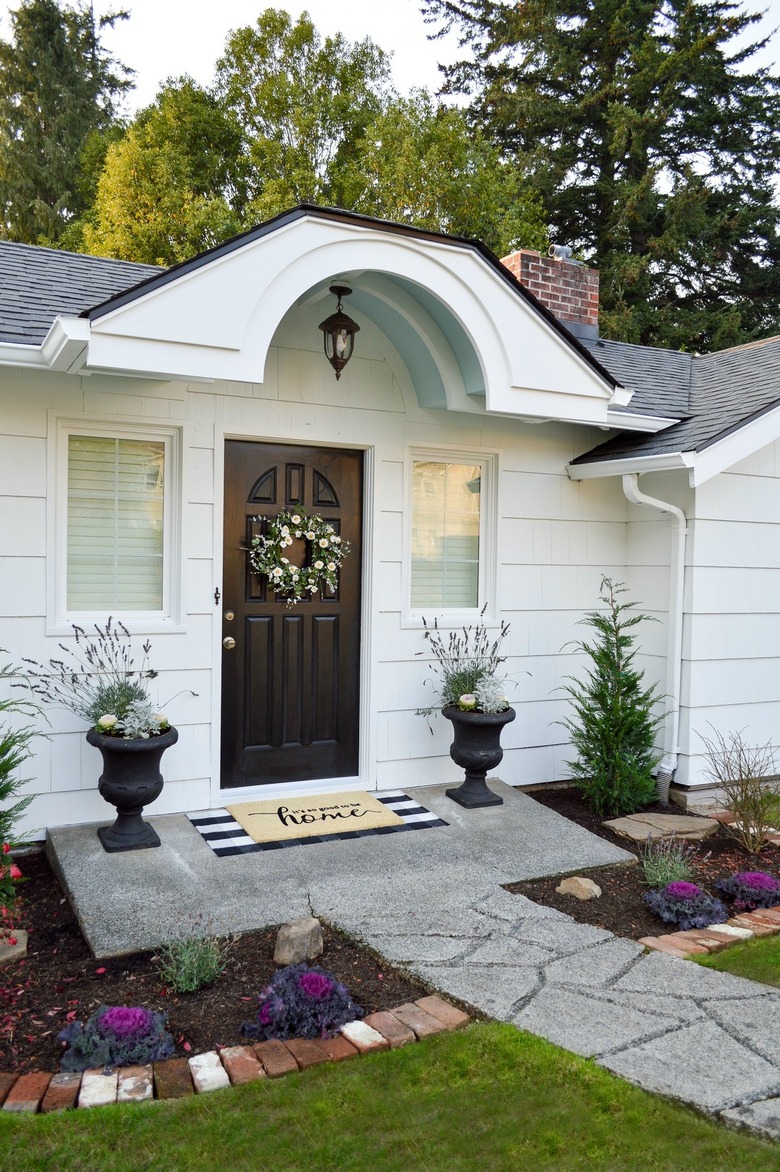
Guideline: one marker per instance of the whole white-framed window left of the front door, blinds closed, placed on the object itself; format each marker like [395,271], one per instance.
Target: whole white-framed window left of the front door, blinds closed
[115,516]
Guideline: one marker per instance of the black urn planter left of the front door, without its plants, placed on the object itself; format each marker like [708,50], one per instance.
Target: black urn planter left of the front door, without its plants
[131,781]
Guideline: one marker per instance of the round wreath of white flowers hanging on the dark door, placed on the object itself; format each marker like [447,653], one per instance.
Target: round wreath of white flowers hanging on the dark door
[329,551]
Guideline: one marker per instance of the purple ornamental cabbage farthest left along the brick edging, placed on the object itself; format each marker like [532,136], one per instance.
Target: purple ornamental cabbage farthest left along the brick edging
[117,1037]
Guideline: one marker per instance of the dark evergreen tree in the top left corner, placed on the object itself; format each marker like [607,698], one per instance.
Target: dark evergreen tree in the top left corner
[59,93]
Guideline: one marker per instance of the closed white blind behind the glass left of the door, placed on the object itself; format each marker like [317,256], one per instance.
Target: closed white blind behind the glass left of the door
[115,524]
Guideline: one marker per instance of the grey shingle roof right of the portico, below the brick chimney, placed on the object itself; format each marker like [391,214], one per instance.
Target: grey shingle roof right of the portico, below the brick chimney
[729,390]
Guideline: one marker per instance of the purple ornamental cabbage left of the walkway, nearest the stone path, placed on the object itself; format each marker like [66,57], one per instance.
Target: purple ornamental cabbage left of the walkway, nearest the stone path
[303,1001]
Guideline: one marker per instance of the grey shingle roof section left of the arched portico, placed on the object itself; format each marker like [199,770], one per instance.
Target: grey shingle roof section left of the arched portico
[38,284]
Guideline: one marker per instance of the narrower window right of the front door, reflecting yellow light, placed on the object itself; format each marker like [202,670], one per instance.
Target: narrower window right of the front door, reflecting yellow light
[447,534]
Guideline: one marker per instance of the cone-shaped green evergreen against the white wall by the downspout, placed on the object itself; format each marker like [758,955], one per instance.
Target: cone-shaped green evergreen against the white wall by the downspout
[613,728]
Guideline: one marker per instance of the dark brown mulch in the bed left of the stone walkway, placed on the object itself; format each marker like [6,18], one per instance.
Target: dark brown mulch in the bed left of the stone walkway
[61,982]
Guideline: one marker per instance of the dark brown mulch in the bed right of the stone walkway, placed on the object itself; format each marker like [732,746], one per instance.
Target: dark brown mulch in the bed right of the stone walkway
[620,909]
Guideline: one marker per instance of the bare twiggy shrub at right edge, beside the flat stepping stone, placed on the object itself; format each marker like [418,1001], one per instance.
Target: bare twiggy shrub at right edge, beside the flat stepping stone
[748,776]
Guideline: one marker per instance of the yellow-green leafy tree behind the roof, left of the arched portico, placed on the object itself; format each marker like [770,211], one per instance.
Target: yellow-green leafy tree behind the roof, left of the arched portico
[172,186]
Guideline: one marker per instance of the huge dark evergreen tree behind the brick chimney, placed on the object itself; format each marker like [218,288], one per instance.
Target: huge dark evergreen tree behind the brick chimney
[654,142]
